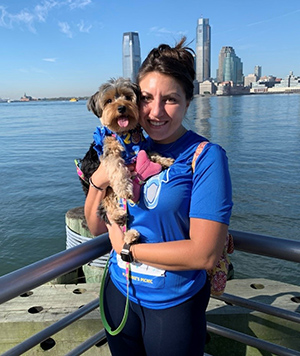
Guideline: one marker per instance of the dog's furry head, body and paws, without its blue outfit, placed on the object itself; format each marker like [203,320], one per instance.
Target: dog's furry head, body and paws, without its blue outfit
[116,104]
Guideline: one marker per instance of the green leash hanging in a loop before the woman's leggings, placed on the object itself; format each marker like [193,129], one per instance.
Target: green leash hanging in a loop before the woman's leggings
[101,302]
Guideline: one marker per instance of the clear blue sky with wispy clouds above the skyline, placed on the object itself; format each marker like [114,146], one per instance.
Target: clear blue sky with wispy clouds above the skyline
[69,47]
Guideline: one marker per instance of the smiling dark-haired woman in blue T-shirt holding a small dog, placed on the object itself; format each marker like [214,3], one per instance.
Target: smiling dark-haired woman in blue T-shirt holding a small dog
[182,218]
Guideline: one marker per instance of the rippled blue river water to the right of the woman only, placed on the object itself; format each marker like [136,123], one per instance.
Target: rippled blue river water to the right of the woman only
[261,135]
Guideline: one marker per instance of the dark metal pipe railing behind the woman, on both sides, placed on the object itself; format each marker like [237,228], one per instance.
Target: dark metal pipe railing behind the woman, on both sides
[36,274]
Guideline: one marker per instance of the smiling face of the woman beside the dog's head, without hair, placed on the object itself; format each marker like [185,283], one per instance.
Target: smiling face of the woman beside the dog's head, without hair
[163,107]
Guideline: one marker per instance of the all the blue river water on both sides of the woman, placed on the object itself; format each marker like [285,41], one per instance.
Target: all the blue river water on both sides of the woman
[39,141]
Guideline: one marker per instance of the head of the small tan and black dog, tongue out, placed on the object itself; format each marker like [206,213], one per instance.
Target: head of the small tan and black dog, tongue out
[116,104]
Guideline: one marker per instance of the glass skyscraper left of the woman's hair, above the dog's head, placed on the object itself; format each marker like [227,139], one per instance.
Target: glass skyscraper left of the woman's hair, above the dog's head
[131,55]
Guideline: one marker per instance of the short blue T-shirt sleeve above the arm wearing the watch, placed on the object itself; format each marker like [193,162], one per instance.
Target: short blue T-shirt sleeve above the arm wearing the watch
[212,192]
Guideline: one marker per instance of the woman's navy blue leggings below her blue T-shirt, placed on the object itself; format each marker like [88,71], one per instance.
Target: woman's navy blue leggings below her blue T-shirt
[180,330]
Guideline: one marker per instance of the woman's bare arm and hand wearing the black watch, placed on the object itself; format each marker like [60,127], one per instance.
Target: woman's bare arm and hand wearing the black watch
[202,251]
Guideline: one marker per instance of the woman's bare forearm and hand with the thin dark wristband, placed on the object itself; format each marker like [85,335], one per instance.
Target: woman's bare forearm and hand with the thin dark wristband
[93,199]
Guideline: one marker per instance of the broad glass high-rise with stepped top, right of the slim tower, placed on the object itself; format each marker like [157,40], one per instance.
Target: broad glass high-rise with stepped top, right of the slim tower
[230,66]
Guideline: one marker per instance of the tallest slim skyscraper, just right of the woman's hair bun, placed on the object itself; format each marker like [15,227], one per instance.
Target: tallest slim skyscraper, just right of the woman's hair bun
[203,51]
